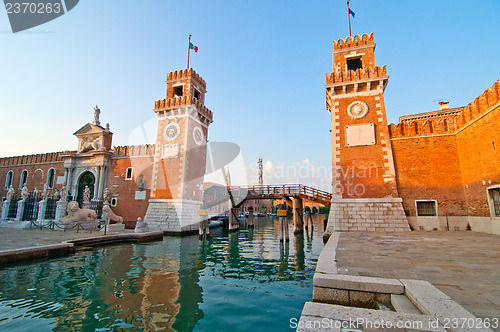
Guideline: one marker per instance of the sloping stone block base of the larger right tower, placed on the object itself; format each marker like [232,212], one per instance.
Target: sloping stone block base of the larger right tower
[367,214]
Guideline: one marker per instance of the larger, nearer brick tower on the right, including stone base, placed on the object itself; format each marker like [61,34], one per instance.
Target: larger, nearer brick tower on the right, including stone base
[362,161]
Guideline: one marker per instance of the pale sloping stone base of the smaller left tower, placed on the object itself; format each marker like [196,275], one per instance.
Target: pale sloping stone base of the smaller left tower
[173,215]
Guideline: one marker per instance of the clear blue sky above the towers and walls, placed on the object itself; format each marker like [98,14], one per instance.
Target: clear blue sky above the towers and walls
[264,63]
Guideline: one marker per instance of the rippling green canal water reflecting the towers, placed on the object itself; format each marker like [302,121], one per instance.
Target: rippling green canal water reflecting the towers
[242,281]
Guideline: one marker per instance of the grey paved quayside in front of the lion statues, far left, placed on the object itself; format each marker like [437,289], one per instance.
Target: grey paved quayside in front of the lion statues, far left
[24,238]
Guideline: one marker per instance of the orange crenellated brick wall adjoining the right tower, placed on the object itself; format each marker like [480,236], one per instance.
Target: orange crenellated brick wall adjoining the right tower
[451,156]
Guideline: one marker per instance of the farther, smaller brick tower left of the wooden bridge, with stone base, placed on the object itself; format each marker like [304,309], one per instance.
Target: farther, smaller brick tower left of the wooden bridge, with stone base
[180,155]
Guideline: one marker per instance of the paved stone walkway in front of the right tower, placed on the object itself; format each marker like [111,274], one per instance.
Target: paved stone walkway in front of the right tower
[464,265]
